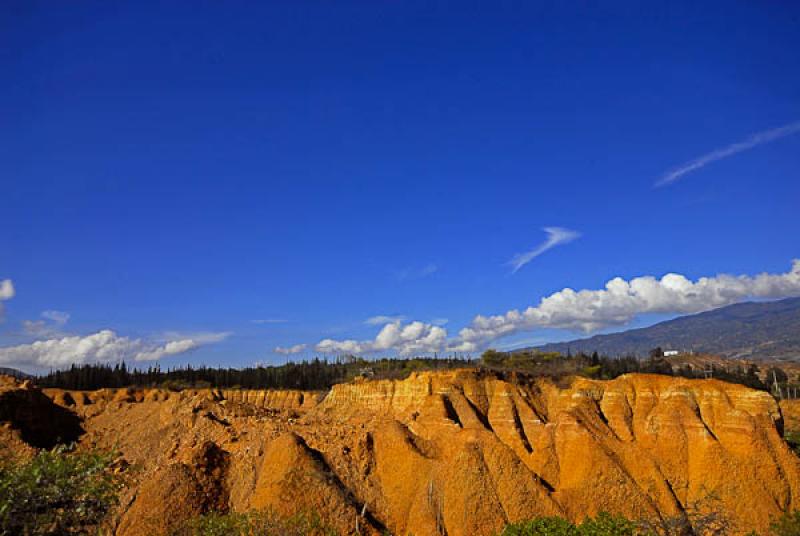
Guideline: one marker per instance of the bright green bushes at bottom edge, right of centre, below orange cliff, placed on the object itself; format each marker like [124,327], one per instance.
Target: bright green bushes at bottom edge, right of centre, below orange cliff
[602,525]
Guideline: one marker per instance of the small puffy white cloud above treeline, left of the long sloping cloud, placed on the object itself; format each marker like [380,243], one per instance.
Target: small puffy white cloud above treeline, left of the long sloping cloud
[410,338]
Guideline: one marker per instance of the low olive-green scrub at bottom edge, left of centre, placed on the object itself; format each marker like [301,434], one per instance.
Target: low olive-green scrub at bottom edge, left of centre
[261,523]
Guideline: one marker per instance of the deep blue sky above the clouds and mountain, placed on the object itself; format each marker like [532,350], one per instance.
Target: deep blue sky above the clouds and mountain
[173,174]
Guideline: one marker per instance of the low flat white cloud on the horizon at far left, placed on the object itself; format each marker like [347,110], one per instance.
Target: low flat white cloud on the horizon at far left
[101,347]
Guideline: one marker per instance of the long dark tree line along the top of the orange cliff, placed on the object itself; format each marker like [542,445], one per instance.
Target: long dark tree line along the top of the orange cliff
[321,374]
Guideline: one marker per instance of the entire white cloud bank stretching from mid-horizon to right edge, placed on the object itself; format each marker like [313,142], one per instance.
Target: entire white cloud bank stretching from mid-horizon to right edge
[619,302]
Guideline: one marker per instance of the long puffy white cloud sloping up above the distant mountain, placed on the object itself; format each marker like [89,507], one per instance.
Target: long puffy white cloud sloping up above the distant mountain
[620,301]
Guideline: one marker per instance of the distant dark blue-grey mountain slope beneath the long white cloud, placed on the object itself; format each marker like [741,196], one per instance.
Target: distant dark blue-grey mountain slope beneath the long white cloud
[752,330]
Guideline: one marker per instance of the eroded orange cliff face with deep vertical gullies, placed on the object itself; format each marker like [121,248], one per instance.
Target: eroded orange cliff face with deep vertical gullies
[453,452]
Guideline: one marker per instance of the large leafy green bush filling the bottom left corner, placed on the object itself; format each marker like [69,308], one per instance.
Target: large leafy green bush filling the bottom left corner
[57,492]
